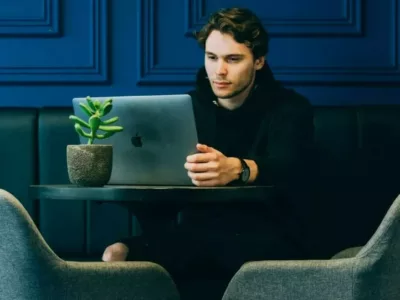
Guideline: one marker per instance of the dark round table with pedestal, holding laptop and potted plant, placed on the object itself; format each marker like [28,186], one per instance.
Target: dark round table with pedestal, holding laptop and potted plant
[156,207]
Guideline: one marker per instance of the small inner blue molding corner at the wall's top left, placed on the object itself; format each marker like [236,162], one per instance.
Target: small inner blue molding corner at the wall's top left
[48,24]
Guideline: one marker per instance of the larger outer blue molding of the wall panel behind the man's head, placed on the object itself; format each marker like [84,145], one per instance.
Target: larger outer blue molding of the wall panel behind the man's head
[152,74]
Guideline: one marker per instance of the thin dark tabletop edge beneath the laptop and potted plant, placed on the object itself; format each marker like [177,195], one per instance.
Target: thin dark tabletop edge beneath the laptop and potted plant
[132,193]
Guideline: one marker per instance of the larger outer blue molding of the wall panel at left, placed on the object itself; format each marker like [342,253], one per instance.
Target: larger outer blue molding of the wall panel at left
[94,71]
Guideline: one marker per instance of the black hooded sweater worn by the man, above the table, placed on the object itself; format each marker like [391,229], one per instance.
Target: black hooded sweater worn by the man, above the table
[274,126]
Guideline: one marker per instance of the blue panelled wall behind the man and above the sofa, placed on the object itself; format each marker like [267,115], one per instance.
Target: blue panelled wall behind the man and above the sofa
[336,52]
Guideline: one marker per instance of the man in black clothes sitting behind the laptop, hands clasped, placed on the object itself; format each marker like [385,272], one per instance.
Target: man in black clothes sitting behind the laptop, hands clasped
[251,130]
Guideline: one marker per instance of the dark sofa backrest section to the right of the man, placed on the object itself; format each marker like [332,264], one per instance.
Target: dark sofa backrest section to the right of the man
[358,150]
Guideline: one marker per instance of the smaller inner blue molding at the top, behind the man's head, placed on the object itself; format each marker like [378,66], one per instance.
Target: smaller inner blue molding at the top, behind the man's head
[350,23]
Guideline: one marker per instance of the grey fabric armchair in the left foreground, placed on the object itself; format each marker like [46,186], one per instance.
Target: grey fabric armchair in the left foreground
[29,269]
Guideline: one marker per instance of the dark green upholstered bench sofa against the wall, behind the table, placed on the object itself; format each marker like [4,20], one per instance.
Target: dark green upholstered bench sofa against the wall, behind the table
[358,155]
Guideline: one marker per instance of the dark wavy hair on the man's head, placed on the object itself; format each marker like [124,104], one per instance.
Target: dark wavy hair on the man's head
[242,24]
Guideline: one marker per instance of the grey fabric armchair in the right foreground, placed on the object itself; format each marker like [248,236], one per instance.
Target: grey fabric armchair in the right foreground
[371,272]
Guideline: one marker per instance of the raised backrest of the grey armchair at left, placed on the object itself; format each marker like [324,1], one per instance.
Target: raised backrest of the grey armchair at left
[25,257]
